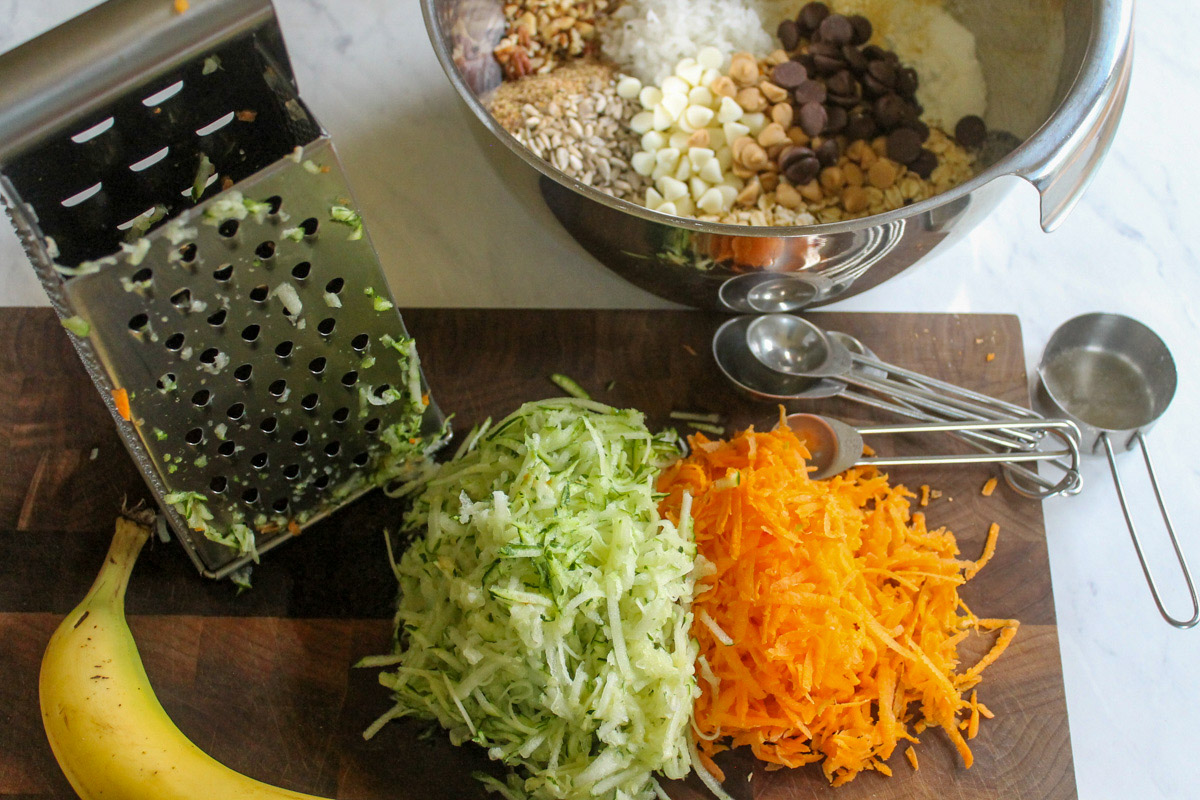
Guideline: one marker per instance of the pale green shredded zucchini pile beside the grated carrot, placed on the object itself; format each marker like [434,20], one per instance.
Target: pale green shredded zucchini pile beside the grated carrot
[545,611]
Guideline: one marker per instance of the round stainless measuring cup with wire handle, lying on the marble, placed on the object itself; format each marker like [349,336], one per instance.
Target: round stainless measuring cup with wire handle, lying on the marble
[1115,377]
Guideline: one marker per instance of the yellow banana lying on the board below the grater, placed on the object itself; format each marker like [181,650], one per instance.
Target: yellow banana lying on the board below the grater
[107,730]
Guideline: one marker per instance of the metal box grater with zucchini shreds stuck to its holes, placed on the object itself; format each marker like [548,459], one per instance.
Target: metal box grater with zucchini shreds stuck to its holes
[194,230]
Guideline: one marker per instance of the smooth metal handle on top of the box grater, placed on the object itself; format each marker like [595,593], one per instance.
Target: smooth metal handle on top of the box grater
[85,65]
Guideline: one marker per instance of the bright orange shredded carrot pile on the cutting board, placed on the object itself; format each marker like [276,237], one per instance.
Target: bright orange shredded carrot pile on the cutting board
[827,615]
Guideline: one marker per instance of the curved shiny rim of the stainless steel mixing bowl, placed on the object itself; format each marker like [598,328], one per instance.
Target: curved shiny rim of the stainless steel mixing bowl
[1111,38]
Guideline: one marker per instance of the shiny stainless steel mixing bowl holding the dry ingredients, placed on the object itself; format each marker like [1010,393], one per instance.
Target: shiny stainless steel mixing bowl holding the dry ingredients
[1058,76]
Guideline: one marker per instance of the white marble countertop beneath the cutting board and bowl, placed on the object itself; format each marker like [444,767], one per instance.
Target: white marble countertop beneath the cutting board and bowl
[1132,246]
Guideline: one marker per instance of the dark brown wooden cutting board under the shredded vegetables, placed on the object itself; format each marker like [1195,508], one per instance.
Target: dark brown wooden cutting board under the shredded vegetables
[263,681]
